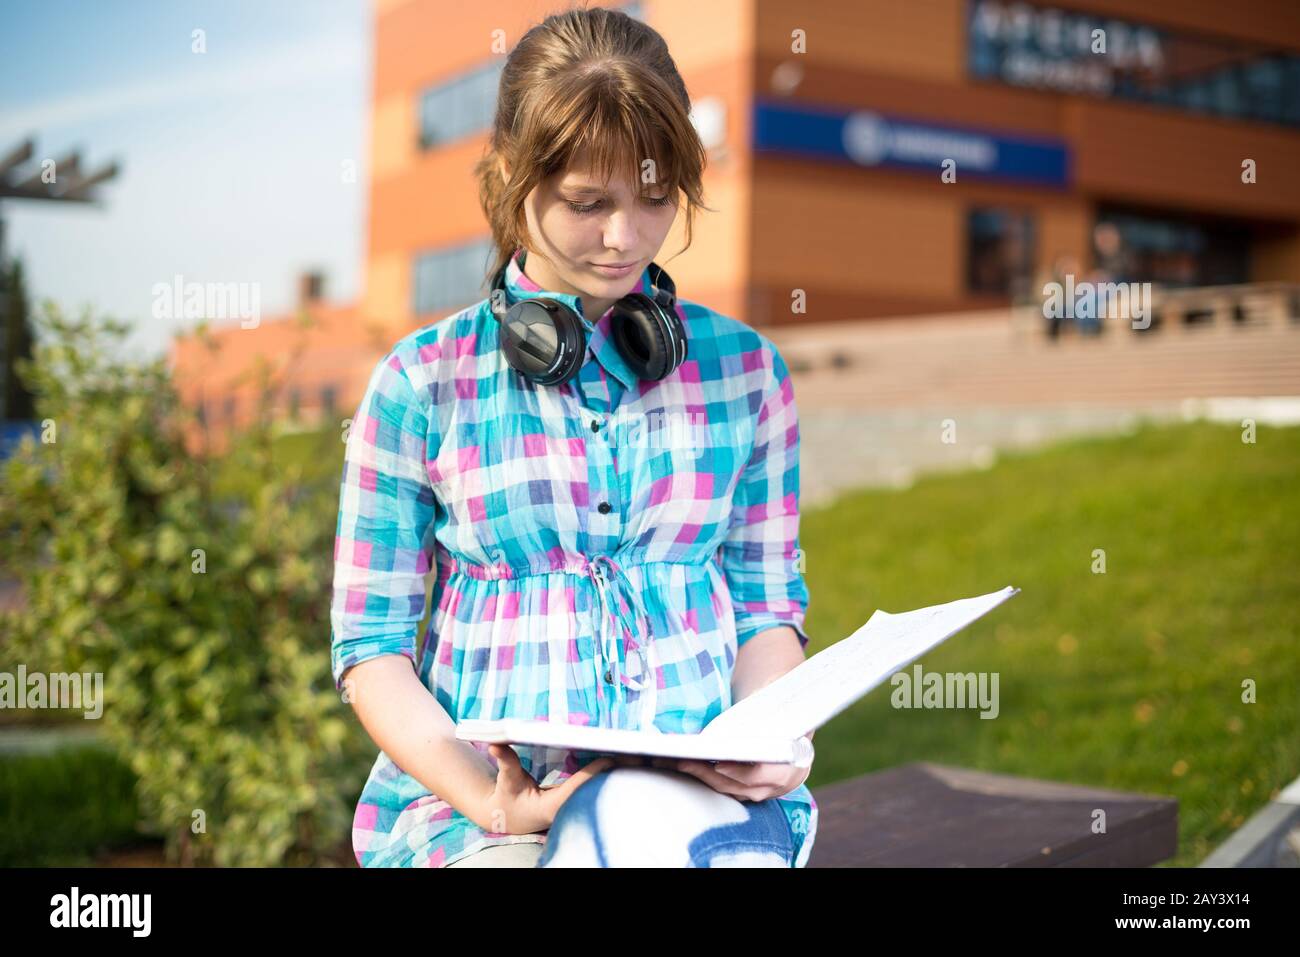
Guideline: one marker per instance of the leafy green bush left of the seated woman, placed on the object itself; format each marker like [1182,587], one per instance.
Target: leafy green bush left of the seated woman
[207,616]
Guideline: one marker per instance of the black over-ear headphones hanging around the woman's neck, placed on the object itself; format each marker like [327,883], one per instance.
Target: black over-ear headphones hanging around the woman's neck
[545,341]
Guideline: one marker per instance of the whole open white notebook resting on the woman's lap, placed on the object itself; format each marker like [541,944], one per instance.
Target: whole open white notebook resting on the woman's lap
[770,725]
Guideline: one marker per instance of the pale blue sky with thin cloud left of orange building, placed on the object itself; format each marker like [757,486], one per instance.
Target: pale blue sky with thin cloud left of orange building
[232,161]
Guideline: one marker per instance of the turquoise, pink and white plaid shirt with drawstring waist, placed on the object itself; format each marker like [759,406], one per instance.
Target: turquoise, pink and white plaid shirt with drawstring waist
[603,548]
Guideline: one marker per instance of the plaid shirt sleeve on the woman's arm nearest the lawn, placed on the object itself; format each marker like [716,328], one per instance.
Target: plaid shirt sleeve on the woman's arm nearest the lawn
[761,556]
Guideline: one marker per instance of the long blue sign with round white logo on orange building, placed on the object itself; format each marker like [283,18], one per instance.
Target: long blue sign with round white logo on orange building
[876,140]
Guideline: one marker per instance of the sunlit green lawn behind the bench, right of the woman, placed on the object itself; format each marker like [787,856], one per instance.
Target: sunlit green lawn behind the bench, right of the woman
[1130,679]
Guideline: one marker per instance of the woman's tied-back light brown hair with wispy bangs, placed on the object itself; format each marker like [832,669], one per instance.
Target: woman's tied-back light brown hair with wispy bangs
[588,80]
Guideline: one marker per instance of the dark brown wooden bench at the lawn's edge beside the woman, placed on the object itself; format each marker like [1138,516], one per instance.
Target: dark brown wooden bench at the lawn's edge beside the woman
[935,816]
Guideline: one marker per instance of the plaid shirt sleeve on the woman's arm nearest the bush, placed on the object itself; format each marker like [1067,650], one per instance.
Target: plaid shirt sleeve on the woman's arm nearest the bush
[383,543]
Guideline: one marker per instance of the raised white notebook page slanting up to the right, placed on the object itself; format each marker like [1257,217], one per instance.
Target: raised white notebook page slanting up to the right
[835,678]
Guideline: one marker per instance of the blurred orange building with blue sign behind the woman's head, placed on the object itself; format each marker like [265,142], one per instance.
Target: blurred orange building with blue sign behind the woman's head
[830,128]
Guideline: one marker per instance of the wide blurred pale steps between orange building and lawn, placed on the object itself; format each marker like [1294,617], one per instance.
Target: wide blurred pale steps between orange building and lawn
[882,401]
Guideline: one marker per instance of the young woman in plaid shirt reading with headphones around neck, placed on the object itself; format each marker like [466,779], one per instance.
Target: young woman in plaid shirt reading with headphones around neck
[606,478]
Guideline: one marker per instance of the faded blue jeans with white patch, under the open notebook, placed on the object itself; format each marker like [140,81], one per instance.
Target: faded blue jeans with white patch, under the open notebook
[652,817]
